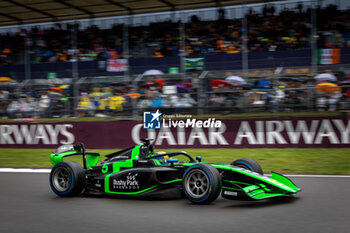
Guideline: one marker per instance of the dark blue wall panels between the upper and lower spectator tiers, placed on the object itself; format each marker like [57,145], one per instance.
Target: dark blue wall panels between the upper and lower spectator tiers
[256,60]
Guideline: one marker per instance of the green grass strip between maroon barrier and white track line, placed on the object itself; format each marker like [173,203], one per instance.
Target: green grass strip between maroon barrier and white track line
[289,160]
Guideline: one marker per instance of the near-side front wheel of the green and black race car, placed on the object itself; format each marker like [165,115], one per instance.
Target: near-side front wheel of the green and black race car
[201,183]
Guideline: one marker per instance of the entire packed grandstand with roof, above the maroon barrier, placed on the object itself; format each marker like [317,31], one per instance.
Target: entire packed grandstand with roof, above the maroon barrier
[64,67]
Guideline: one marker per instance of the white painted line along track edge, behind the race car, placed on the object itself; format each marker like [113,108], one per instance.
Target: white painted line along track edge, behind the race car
[39,170]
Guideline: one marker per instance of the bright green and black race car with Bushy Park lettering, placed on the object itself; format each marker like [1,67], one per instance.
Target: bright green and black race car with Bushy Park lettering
[138,171]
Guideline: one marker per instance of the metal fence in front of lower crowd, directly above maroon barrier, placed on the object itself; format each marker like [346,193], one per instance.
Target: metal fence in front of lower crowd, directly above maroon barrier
[220,101]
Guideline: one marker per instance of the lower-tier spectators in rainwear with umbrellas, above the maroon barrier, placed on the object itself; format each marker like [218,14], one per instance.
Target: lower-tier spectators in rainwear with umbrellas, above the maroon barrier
[259,94]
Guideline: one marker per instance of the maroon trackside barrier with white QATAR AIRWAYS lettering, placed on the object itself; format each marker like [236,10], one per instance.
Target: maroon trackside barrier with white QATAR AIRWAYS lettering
[302,132]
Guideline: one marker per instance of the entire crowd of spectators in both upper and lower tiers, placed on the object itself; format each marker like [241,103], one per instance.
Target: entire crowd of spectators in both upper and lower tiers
[267,31]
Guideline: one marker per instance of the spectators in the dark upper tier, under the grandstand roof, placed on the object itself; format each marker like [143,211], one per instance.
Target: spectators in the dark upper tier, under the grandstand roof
[267,31]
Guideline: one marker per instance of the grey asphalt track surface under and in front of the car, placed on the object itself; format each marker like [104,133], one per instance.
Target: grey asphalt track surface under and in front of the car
[27,204]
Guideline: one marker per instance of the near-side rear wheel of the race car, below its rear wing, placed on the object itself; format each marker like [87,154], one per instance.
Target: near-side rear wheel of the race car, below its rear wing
[67,179]
